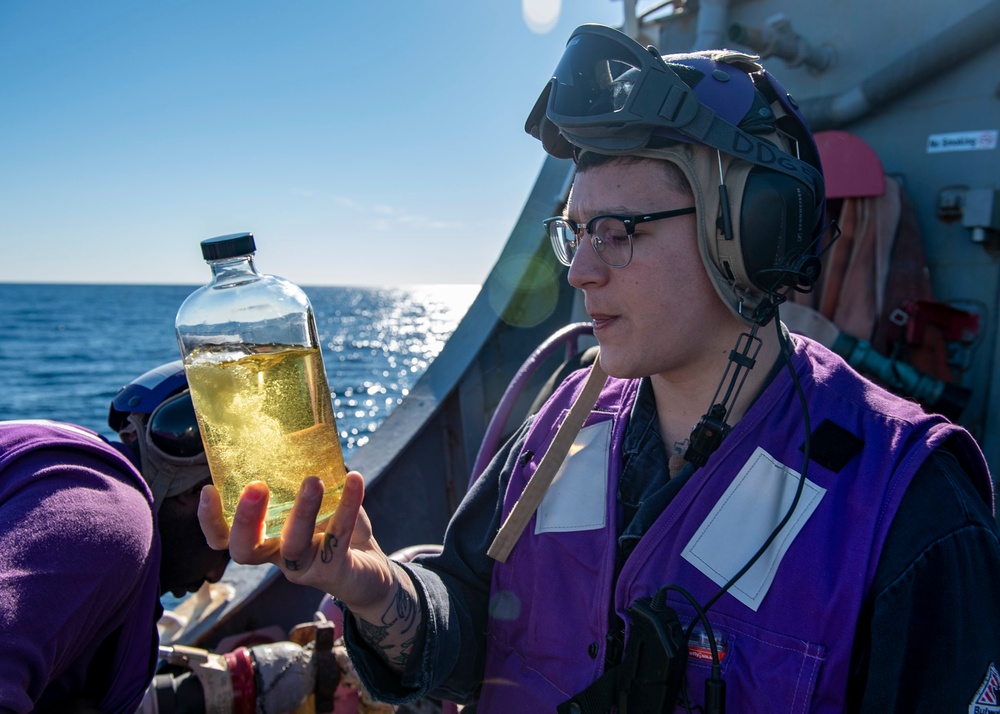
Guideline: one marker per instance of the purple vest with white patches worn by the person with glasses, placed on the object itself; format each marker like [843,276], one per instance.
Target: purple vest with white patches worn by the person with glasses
[786,628]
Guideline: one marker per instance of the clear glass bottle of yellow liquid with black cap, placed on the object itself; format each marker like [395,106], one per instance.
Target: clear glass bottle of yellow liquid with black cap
[255,369]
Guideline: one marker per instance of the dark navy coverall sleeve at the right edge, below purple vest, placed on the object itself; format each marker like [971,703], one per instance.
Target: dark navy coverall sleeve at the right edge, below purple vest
[933,606]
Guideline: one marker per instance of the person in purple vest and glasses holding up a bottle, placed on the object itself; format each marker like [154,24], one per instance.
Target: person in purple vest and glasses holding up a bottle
[731,514]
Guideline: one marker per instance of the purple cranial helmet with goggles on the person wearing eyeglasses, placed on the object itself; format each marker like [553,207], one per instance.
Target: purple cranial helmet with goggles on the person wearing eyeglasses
[728,125]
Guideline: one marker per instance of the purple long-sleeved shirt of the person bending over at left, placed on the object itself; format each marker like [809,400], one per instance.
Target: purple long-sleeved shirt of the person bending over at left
[77,551]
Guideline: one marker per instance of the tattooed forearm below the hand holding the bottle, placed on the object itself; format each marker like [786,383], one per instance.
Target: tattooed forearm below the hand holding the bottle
[391,628]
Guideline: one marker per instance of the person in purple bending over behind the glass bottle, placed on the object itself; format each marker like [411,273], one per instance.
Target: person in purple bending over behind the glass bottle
[92,532]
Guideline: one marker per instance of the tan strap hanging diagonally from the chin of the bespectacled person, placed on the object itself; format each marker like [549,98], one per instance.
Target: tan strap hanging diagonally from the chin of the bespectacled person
[540,481]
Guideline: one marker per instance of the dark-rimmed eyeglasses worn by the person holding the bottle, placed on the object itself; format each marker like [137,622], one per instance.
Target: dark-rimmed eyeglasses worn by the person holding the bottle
[610,234]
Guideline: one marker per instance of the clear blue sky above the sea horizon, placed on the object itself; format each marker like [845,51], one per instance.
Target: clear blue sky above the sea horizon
[363,143]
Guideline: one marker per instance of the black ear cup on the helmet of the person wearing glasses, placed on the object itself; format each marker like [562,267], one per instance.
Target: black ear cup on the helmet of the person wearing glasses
[778,223]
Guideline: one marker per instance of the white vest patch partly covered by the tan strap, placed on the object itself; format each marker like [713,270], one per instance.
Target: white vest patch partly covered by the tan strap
[577,497]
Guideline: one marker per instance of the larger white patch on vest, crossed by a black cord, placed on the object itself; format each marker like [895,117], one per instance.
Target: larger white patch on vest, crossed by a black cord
[743,519]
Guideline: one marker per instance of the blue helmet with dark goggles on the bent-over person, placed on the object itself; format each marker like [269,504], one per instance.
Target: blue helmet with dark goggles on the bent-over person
[153,414]
